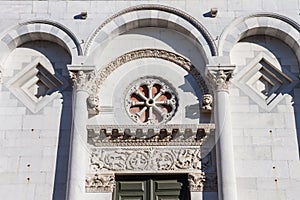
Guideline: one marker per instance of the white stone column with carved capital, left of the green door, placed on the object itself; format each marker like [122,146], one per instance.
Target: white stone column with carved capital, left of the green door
[78,158]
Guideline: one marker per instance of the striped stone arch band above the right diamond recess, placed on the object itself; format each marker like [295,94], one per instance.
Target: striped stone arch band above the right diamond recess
[270,24]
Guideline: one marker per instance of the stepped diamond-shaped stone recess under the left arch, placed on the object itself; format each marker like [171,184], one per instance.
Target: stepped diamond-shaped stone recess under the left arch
[36,85]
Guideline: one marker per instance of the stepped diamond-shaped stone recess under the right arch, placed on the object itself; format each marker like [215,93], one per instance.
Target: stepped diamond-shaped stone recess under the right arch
[265,82]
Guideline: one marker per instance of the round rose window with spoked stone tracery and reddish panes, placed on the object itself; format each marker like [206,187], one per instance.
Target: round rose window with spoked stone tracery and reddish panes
[150,101]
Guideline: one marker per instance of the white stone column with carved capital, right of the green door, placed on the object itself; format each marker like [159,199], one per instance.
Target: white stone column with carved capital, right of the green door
[219,77]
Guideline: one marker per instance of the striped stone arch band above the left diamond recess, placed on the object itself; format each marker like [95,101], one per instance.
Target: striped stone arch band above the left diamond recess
[39,30]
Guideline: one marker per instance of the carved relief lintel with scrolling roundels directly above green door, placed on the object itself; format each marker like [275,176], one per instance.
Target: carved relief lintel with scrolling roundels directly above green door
[145,159]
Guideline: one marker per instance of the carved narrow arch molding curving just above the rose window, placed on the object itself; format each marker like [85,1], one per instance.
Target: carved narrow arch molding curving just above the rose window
[152,53]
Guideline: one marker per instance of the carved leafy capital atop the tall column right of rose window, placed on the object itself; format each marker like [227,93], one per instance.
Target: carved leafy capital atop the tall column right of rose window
[219,76]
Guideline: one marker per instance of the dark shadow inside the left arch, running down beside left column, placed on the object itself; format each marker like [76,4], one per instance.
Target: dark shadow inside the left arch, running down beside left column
[51,51]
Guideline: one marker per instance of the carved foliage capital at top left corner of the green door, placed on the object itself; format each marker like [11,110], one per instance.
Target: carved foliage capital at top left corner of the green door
[100,183]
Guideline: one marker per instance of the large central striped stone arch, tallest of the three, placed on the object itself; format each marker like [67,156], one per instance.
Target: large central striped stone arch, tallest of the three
[152,15]
